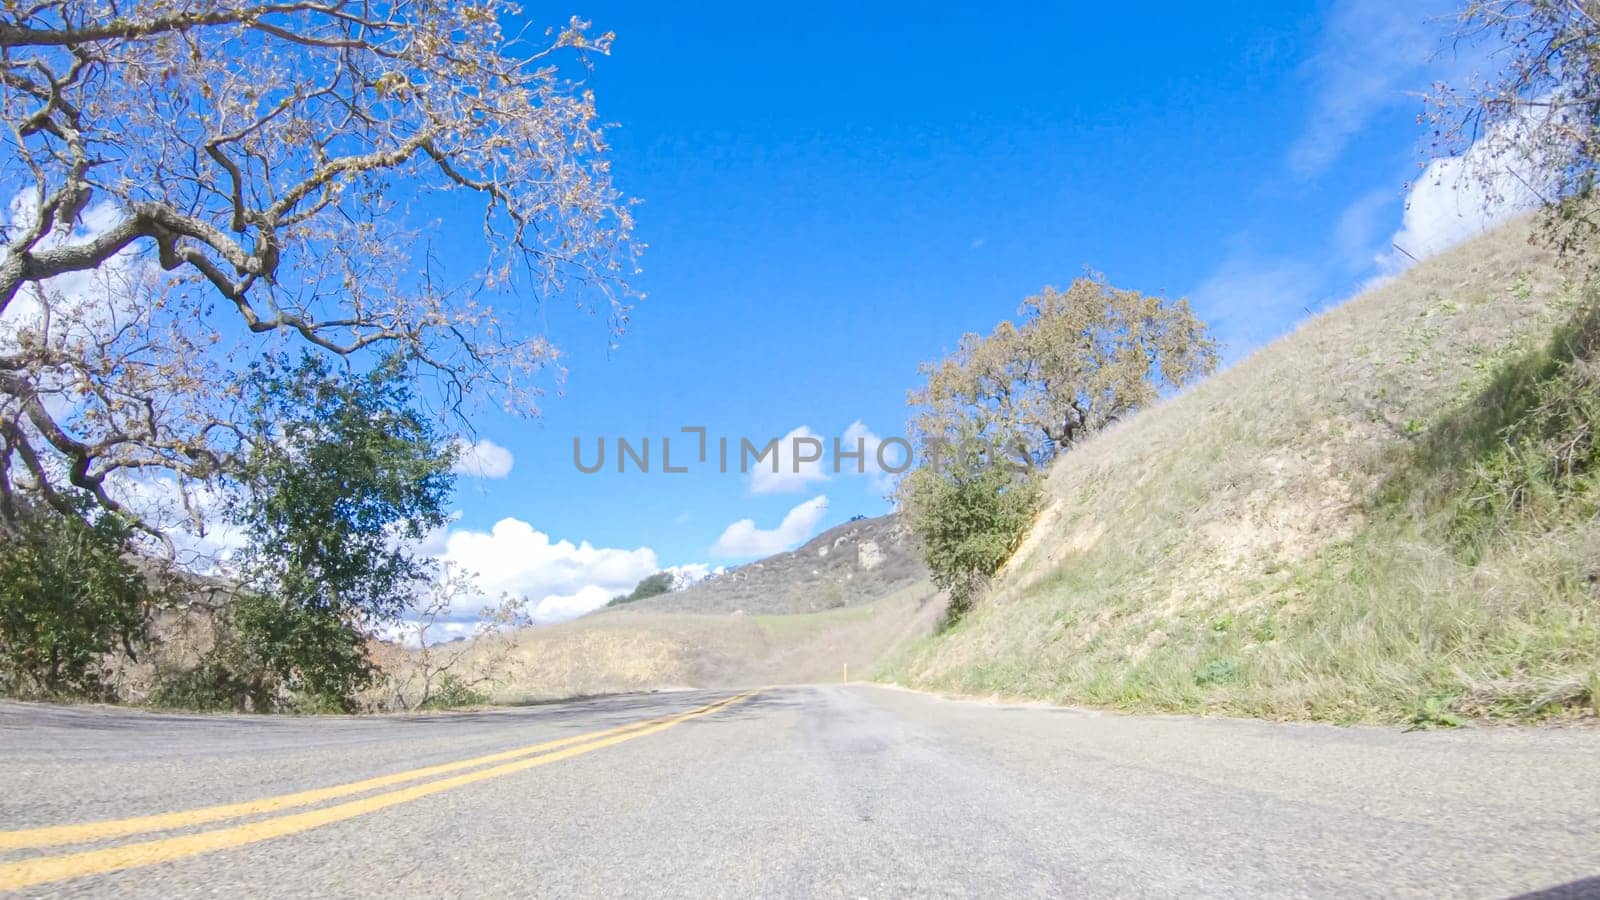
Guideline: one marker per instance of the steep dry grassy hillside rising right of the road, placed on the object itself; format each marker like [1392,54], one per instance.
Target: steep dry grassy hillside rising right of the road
[1330,529]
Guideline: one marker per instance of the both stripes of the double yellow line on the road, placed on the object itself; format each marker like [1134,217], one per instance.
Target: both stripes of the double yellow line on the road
[82,864]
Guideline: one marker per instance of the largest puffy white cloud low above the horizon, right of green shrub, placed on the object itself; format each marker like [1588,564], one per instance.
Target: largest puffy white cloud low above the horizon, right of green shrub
[561,581]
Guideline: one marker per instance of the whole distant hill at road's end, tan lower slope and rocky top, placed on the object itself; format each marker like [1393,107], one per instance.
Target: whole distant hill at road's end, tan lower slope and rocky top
[846,601]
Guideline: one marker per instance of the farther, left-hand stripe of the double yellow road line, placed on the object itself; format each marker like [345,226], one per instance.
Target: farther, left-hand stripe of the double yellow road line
[82,834]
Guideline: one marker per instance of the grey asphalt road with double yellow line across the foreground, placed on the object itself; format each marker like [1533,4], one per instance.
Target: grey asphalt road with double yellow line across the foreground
[791,792]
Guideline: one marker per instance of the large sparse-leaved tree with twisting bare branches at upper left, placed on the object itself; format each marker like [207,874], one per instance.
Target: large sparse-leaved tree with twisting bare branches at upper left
[194,183]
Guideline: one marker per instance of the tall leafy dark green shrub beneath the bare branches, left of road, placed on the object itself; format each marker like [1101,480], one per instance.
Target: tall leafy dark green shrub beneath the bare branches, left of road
[345,476]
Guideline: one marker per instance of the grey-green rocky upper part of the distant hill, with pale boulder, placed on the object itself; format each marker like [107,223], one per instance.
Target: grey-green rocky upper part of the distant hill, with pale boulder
[850,565]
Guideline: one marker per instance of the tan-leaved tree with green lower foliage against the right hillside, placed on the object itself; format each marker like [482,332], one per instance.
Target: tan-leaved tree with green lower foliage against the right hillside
[1004,406]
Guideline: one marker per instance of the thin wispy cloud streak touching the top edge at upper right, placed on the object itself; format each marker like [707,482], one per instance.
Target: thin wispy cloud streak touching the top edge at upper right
[1374,55]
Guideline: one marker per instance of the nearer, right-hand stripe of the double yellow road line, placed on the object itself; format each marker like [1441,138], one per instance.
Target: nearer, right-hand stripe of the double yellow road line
[28,874]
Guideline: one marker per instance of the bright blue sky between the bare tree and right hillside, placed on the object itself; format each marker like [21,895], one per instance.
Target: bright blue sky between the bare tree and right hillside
[836,193]
